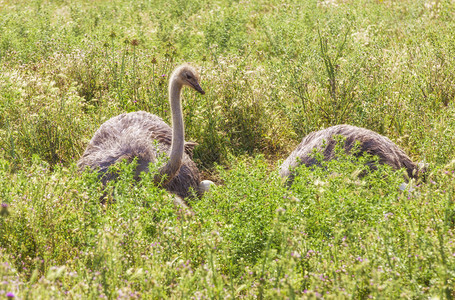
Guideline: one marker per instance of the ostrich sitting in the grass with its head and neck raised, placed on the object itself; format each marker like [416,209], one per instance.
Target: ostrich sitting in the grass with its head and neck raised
[145,137]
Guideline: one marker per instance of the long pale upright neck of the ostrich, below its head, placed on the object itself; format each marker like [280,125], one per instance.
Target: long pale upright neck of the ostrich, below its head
[178,133]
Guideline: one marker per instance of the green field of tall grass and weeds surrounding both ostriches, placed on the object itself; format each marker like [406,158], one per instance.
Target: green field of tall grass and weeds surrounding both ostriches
[273,71]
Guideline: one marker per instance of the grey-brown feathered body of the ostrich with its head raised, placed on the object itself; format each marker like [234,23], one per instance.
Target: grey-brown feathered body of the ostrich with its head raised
[143,136]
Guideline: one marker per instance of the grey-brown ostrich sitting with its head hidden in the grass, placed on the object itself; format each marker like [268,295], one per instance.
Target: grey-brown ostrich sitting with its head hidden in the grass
[370,142]
